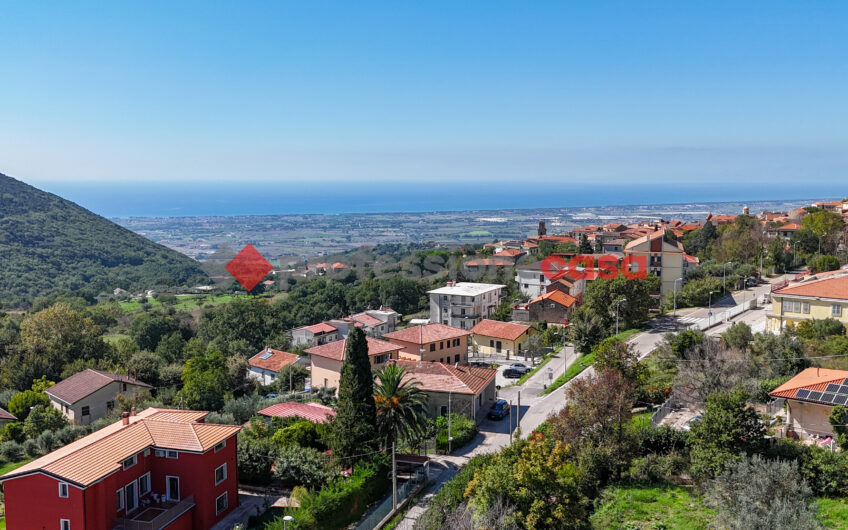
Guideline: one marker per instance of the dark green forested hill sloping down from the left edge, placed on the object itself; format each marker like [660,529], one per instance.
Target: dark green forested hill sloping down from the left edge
[49,244]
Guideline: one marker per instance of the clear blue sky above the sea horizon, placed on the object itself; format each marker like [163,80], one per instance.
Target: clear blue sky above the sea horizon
[649,91]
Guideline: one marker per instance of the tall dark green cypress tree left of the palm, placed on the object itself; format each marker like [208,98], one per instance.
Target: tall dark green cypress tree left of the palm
[354,428]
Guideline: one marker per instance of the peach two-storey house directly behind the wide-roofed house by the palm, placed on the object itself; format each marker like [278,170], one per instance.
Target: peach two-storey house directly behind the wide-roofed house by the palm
[432,342]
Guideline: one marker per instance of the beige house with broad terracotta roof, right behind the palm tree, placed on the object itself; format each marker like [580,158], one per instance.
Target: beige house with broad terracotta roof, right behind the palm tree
[467,390]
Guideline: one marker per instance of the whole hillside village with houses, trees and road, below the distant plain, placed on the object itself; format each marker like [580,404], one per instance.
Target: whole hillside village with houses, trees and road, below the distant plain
[496,393]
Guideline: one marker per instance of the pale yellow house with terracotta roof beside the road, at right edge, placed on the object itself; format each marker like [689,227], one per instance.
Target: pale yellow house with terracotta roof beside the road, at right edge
[825,296]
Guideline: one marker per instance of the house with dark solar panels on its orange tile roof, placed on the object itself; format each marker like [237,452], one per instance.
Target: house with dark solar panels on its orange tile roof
[810,396]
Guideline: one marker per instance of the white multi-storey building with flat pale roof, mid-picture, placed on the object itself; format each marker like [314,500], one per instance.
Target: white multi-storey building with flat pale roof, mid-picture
[462,305]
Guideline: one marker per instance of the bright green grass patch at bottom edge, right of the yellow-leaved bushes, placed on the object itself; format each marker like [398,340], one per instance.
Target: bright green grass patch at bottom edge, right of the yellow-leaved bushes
[635,505]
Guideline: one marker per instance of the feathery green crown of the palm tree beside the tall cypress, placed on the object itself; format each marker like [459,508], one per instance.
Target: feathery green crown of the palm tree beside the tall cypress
[401,405]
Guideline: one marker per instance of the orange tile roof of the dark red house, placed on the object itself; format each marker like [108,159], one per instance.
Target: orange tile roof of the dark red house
[89,459]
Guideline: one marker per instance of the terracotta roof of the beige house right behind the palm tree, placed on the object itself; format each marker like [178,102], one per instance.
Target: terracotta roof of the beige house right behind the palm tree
[440,377]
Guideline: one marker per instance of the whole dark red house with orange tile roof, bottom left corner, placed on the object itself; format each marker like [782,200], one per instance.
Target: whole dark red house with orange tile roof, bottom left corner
[157,469]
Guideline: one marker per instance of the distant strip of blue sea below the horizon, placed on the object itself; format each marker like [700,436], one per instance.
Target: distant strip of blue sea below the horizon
[183,199]
